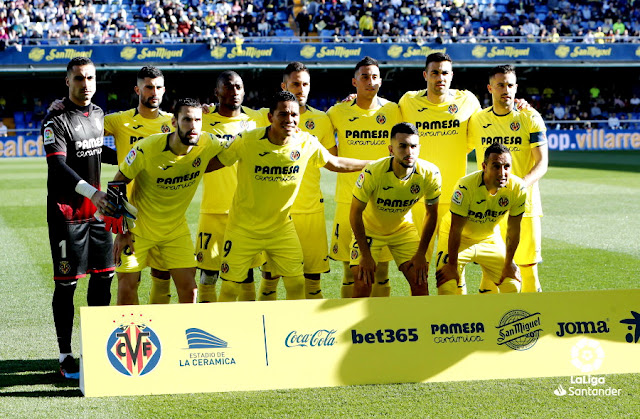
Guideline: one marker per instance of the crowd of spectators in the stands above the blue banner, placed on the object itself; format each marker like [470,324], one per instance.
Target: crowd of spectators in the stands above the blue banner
[51,22]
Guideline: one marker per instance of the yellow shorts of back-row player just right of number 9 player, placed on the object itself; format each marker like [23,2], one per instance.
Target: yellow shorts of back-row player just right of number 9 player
[312,233]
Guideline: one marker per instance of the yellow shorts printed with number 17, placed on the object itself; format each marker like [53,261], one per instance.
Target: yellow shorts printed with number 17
[210,240]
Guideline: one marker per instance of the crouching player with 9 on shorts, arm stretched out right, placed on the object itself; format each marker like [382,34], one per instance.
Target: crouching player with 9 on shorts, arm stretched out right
[271,163]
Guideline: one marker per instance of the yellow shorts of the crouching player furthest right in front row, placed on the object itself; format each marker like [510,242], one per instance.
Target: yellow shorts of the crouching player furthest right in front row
[489,254]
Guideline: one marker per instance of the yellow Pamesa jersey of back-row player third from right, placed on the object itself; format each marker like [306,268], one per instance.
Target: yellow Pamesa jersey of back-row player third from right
[362,134]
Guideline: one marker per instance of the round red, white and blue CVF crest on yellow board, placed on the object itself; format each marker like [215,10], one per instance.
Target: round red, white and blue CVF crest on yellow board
[133,348]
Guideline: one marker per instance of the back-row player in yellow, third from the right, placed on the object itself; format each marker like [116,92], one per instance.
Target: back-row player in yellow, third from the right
[363,127]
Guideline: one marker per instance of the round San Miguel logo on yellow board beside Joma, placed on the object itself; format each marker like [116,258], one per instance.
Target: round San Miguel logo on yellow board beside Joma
[519,330]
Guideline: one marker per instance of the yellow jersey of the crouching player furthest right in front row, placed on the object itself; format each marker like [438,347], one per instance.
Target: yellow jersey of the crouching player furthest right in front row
[483,211]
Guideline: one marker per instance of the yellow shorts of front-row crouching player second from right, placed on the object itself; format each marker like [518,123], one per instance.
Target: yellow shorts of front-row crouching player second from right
[402,245]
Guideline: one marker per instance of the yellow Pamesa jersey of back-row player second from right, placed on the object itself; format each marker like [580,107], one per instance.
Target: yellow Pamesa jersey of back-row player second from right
[443,131]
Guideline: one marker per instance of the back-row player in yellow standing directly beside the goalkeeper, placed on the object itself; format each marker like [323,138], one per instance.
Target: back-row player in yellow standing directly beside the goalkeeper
[130,126]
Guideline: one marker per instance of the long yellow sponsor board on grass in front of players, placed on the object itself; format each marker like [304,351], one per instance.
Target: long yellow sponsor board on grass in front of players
[155,349]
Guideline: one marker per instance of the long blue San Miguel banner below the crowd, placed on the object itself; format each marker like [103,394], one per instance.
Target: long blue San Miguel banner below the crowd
[257,52]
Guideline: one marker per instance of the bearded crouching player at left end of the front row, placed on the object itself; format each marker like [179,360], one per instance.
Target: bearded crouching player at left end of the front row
[167,169]
